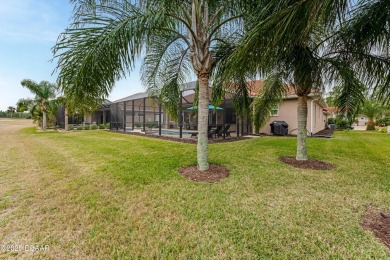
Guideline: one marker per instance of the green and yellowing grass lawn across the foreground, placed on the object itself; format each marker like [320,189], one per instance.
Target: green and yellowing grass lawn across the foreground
[95,194]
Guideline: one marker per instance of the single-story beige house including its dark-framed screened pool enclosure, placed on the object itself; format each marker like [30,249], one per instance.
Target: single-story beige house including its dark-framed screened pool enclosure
[142,112]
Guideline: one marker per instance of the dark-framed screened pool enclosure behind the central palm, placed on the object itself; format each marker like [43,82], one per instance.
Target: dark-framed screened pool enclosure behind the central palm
[142,113]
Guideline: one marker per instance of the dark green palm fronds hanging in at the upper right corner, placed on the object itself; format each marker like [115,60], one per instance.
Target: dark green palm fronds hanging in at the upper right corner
[367,32]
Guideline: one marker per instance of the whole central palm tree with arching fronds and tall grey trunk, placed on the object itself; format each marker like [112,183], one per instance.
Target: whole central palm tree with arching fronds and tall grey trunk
[178,37]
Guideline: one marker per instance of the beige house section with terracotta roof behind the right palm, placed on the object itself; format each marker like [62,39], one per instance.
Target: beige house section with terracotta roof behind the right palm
[317,114]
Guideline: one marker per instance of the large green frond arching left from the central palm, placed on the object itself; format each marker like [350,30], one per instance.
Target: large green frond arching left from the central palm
[98,49]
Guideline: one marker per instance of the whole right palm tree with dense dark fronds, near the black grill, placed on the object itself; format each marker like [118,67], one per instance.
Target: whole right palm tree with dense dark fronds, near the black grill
[293,44]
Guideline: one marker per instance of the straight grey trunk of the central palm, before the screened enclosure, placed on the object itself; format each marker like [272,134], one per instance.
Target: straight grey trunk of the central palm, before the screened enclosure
[203,112]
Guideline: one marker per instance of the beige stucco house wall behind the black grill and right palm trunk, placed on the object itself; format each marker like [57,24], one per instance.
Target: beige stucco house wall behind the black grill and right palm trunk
[288,113]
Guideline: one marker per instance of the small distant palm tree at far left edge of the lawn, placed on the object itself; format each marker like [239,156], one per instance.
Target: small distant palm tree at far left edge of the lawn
[44,91]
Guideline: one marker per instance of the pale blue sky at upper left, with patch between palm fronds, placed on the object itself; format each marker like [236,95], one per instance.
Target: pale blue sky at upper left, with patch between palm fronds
[28,31]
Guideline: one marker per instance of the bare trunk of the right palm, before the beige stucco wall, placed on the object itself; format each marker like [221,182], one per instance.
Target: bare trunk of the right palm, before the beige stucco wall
[302,129]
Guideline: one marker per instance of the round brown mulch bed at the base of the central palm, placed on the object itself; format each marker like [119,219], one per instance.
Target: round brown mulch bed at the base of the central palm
[215,173]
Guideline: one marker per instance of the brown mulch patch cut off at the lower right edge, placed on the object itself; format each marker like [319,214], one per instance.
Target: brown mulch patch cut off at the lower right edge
[378,222]
